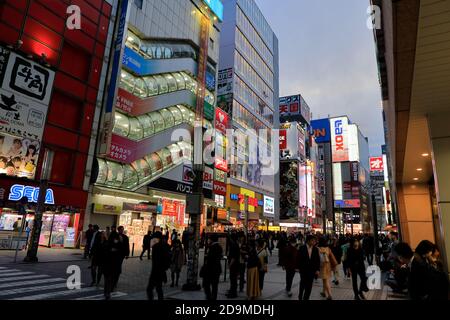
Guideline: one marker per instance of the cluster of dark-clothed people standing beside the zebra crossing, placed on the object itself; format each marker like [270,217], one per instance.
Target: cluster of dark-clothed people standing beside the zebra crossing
[107,251]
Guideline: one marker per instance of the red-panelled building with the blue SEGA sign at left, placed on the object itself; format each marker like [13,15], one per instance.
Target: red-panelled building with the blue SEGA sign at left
[52,75]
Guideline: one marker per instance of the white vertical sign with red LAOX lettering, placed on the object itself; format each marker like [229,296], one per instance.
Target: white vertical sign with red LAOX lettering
[339,139]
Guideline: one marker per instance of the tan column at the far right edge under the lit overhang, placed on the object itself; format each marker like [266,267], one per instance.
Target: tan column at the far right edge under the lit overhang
[440,143]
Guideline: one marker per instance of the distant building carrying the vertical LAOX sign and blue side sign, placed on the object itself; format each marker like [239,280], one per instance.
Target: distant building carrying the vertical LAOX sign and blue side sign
[349,171]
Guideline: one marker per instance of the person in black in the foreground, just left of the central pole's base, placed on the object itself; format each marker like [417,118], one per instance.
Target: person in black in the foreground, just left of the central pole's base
[160,264]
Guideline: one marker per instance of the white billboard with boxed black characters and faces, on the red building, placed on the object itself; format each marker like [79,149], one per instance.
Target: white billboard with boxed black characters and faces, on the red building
[25,90]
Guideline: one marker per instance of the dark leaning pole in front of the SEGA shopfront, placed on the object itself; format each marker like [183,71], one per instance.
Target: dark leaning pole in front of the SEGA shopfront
[36,232]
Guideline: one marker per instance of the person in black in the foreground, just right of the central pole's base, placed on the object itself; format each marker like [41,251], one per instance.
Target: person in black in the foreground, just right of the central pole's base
[212,268]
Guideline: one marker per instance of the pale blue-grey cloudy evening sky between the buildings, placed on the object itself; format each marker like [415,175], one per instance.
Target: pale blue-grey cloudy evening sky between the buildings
[327,54]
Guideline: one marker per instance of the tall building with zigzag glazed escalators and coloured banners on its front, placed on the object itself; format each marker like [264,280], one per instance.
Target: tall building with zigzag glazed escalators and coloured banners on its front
[162,80]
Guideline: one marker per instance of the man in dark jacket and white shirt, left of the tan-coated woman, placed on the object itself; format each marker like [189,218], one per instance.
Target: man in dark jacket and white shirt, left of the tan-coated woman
[309,266]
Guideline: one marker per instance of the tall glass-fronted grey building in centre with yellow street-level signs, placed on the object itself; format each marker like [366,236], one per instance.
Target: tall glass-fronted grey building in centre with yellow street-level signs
[248,92]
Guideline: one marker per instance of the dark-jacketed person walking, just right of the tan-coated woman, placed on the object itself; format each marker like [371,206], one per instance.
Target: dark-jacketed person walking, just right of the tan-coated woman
[355,261]
